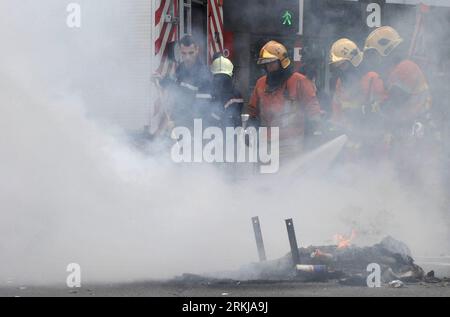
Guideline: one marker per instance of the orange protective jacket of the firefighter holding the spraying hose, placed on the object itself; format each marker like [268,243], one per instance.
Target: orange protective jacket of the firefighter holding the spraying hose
[288,107]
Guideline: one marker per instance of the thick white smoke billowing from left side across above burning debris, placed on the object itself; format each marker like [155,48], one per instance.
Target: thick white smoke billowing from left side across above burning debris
[74,189]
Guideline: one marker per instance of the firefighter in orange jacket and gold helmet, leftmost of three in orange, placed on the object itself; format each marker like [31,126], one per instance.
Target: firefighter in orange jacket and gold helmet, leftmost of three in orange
[284,99]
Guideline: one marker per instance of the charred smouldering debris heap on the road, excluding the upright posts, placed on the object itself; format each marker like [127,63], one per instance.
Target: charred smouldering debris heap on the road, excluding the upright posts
[347,264]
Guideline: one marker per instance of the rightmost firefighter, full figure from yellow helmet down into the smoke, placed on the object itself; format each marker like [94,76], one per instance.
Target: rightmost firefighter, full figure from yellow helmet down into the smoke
[414,138]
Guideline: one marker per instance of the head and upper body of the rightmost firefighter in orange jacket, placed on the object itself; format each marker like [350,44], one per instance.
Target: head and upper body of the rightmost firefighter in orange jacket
[409,99]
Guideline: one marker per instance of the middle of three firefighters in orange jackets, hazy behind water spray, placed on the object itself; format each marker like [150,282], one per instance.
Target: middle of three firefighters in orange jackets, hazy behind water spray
[357,100]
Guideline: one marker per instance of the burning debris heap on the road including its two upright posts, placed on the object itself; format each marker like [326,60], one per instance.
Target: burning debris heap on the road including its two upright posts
[343,261]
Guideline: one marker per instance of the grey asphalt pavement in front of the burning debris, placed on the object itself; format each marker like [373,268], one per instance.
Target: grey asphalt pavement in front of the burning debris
[228,288]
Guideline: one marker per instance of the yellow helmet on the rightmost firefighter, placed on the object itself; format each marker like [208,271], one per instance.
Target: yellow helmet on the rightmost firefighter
[384,40]
